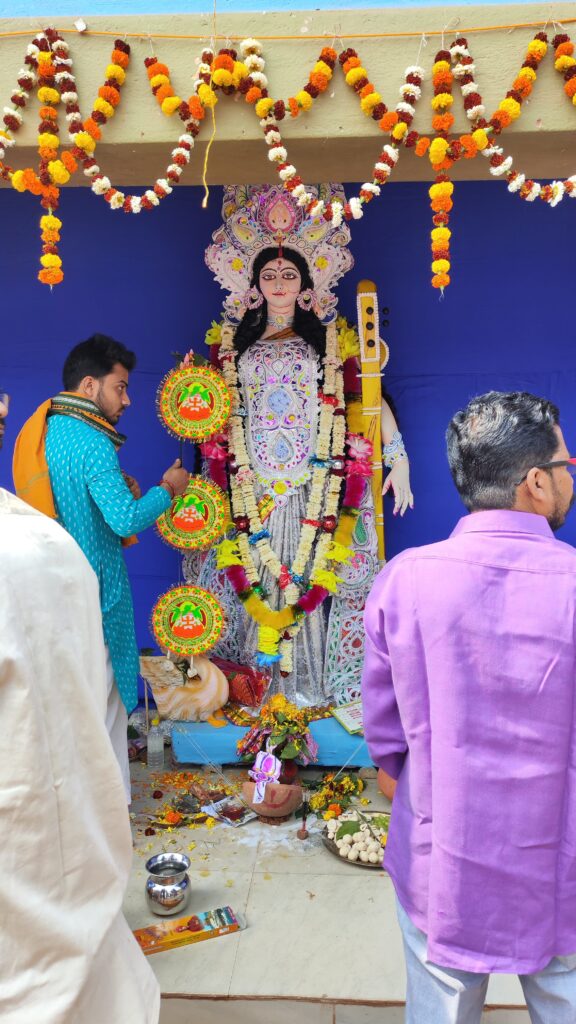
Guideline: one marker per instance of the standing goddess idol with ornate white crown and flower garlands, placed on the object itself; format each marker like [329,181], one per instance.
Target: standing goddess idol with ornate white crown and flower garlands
[295,573]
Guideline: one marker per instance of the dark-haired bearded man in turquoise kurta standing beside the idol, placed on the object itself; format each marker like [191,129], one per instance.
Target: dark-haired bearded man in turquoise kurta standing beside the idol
[101,507]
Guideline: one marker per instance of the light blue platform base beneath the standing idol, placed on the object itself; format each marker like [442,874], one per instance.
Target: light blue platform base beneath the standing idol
[199,744]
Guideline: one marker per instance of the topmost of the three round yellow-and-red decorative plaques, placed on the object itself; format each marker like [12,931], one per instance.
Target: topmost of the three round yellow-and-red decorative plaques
[194,403]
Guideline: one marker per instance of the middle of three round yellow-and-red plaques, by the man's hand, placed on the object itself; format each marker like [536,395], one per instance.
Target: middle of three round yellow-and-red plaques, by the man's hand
[195,520]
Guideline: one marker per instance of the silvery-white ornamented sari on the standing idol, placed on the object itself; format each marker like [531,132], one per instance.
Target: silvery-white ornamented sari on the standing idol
[279,387]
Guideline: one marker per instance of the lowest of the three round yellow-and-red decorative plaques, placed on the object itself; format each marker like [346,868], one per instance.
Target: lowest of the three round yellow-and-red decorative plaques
[187,621]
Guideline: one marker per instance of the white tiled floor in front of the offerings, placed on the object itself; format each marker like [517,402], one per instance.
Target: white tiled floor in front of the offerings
[318,930]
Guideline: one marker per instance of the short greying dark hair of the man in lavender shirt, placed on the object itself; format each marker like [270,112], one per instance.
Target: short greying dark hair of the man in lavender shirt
[495,442]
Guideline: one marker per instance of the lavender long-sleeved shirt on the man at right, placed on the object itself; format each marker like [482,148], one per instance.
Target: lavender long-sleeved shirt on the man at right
[469,693]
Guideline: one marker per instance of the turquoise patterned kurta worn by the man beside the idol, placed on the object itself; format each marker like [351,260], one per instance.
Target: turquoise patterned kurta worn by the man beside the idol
[95,505]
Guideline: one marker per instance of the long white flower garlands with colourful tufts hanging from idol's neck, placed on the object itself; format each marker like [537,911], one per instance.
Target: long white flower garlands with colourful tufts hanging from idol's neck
[326,530]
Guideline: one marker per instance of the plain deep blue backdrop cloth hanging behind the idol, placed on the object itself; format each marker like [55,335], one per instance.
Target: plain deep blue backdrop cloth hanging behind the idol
[506,323]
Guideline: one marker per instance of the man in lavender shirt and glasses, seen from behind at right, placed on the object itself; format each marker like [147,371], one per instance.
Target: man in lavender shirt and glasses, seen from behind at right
[470,702]
